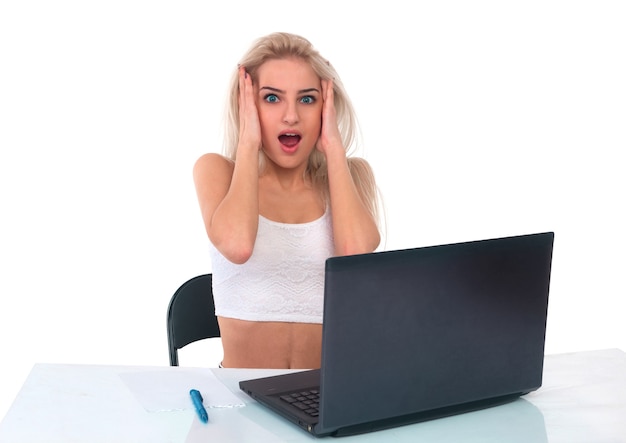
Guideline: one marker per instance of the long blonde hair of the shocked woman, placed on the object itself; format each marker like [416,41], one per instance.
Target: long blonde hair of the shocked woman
[281,45]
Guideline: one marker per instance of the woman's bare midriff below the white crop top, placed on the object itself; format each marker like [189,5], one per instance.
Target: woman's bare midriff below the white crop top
[252,344]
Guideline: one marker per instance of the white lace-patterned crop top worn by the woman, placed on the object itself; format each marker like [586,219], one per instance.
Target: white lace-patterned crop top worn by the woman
[283,280]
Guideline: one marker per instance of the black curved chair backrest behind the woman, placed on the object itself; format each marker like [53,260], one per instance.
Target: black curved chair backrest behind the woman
[191,315]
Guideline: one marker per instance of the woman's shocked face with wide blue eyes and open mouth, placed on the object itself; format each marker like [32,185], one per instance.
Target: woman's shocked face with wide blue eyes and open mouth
[289,103]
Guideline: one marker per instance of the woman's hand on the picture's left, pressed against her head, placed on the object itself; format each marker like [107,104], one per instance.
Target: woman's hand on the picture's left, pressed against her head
[249,126]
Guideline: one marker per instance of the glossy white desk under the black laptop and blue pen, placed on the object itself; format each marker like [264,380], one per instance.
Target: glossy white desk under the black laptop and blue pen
[583,399]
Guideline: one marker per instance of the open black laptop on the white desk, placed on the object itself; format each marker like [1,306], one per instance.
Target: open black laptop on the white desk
[418,334]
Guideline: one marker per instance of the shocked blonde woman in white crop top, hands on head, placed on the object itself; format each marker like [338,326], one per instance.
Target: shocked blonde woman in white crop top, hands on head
[284,198]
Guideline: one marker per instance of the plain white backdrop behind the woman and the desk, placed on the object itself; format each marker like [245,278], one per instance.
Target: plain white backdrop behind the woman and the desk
[481,119]
